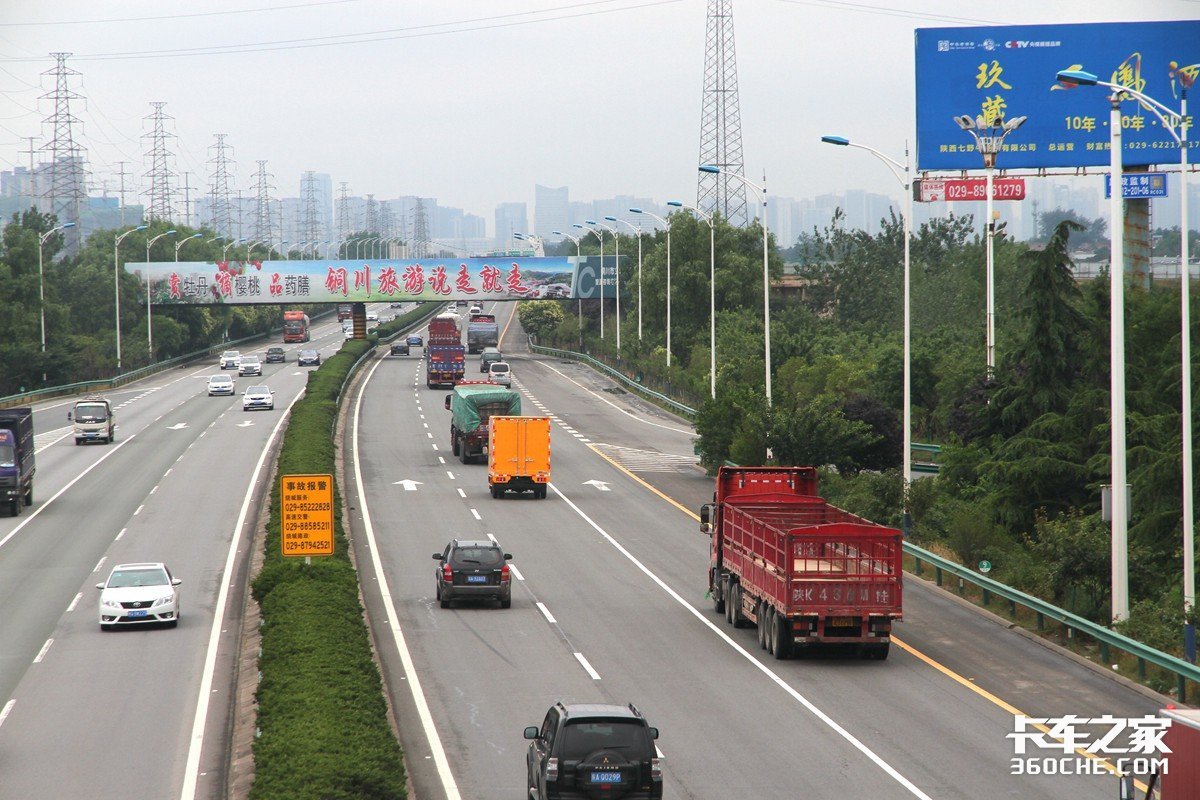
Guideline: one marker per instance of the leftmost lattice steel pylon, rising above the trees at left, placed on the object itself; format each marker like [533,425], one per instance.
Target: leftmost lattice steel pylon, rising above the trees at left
[65,190]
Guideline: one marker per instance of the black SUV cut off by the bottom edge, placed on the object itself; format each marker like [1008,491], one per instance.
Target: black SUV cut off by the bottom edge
[591,750]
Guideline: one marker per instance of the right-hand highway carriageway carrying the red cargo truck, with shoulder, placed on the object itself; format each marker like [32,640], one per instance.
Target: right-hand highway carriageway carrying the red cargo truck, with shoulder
[610,606]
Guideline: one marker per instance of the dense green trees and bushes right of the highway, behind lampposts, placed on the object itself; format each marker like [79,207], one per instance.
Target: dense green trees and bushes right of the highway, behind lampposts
[1024,452]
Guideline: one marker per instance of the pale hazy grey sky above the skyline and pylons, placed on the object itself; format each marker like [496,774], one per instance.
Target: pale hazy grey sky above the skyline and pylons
[476,101]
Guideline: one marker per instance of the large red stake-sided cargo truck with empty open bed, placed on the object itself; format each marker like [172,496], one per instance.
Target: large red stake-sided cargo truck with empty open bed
[808,574]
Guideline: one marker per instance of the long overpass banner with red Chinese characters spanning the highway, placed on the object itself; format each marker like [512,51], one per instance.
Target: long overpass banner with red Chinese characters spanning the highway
[361,281]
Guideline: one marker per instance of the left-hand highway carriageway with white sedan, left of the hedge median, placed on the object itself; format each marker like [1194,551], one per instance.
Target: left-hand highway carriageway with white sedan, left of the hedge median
[135,713]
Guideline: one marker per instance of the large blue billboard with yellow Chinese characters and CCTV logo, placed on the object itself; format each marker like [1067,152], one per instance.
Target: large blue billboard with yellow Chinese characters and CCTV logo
[1010,73]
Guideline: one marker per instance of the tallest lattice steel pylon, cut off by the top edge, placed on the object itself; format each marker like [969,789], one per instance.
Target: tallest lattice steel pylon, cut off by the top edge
[721,122]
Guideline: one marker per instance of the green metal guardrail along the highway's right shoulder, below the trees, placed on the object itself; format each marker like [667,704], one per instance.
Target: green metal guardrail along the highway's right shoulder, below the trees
[1107,639]
